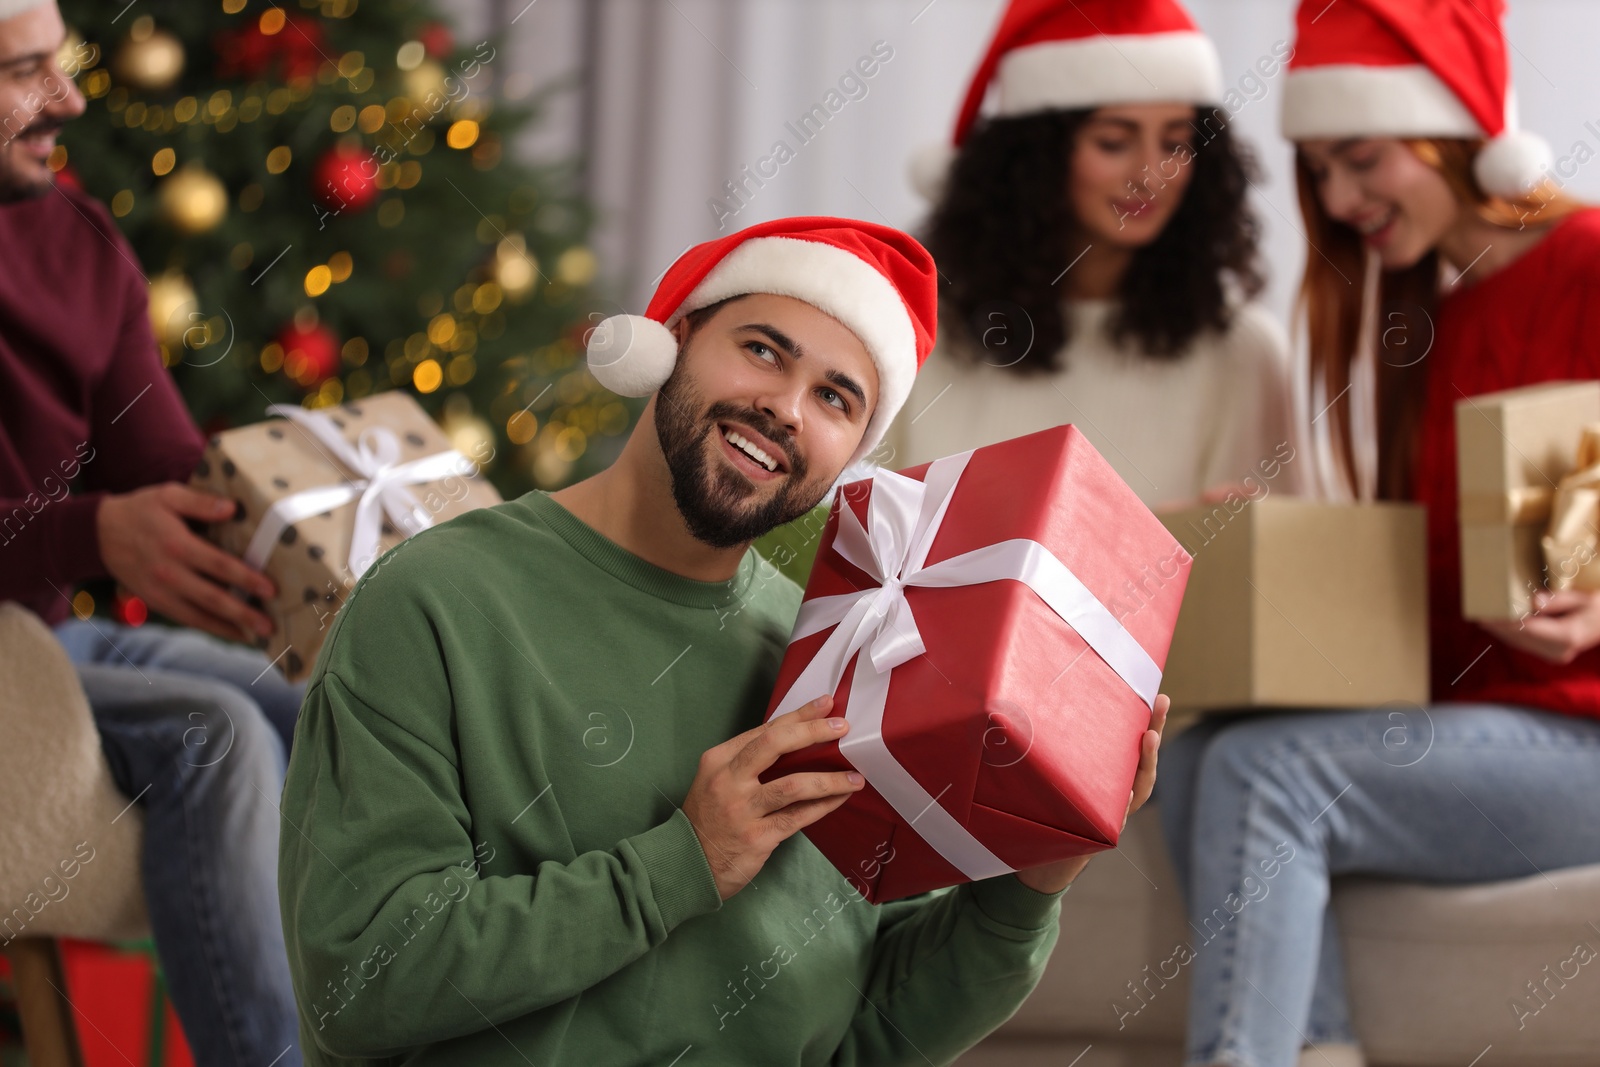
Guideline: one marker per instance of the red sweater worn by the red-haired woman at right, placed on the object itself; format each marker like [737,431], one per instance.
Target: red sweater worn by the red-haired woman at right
[1535,321]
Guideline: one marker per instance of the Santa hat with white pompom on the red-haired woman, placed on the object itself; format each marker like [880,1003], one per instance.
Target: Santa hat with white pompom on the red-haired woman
[1412,70]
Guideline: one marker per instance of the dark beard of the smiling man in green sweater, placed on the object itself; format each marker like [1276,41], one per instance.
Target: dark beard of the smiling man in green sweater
[713,502]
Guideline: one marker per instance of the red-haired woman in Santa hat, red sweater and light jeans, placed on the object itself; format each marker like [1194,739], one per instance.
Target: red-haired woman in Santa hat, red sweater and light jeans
[1425,204]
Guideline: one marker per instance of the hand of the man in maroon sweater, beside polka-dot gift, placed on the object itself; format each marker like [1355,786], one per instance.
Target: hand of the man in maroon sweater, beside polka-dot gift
[148,548]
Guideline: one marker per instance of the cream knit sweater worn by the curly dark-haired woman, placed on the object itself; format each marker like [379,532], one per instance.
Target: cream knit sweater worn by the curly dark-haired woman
[1170,428]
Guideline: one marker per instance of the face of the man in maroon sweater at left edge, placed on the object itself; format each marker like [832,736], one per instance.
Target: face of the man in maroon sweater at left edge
[36,100]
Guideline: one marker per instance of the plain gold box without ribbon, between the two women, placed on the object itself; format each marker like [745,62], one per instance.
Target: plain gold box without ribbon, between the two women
[1300,604]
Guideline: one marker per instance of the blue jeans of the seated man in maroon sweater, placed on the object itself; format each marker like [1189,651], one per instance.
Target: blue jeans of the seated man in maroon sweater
[198,732]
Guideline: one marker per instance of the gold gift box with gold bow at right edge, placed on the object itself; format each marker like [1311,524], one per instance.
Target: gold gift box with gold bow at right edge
[1513,450]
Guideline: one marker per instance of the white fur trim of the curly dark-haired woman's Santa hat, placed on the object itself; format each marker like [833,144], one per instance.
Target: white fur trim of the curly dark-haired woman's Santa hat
[1098,71]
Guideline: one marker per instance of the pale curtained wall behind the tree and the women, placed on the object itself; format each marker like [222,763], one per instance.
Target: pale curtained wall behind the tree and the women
[687,92]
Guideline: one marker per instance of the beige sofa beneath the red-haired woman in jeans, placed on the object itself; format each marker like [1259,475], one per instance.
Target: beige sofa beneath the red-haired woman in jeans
[1433,972]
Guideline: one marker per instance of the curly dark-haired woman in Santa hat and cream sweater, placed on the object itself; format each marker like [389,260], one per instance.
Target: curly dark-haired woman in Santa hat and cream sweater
[1098,255]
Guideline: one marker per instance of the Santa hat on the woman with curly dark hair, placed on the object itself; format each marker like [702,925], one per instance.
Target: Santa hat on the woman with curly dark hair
[1060,55]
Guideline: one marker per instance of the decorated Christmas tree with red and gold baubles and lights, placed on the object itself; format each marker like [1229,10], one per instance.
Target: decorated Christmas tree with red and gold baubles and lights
[327,207]
